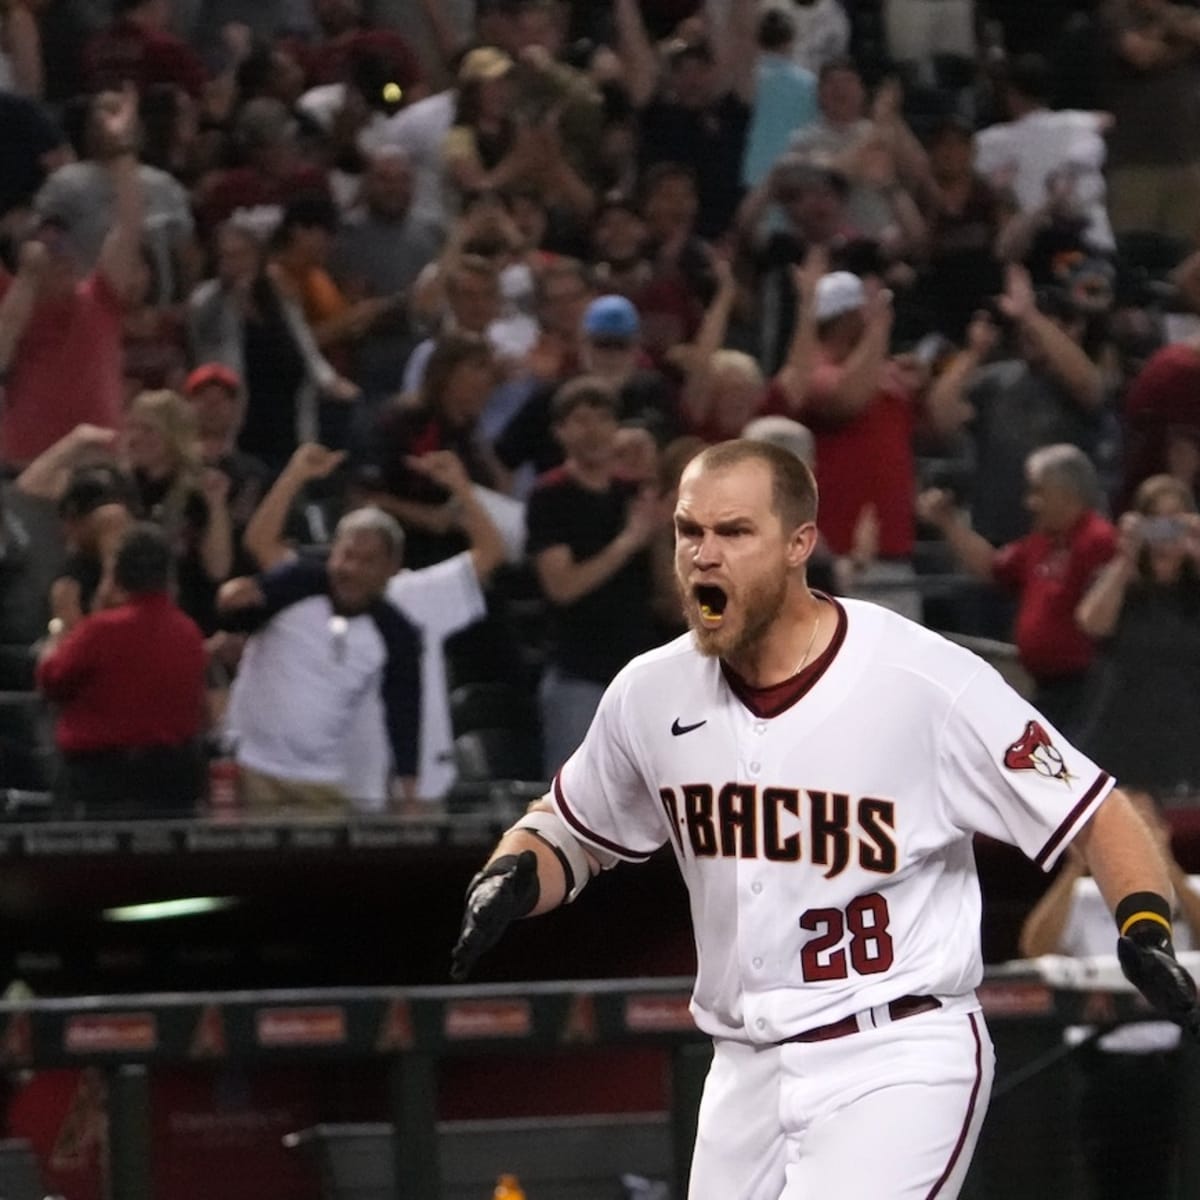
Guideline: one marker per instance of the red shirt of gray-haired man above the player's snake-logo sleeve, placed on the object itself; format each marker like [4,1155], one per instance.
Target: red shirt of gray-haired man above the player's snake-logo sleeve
[1052,575]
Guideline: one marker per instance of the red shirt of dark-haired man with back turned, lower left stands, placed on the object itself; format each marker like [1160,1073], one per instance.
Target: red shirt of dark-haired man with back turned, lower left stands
[128,677]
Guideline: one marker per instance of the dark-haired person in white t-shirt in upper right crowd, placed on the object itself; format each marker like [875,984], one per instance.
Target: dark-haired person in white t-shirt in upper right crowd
[1041,152]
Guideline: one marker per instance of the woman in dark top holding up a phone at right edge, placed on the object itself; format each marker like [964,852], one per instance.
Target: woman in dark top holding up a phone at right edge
[1145,610]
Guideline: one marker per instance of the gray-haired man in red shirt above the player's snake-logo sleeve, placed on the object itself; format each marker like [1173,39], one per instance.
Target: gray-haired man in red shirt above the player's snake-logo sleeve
[1049,571]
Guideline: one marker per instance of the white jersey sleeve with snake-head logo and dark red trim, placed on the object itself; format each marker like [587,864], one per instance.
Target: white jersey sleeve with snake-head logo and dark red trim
[1006,772]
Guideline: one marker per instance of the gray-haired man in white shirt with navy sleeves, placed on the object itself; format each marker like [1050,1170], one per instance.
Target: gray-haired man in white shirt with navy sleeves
[326,644]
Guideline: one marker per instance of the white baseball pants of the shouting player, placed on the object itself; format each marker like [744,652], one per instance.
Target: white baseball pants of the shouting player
[886,1114]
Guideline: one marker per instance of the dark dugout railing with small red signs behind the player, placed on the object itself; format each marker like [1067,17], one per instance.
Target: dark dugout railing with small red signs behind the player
[415,1029]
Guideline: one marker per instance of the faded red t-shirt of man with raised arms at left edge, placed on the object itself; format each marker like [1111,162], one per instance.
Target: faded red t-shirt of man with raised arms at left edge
[68,370]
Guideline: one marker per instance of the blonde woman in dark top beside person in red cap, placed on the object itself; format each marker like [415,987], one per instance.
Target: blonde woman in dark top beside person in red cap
[178,493]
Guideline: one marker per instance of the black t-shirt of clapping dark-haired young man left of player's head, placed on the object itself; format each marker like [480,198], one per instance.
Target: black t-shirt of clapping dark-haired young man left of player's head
[597,635]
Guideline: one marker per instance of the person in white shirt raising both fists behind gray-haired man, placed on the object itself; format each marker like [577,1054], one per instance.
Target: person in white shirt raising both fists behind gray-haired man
[440,602]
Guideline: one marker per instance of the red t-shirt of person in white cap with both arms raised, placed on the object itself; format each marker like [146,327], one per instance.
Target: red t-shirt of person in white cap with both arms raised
[865,461]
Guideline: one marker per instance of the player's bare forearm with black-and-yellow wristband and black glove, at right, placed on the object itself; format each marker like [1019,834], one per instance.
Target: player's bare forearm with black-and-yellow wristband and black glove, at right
[1135,881]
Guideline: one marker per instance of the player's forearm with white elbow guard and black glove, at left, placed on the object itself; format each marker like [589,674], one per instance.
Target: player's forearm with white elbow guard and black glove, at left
[536,867]
